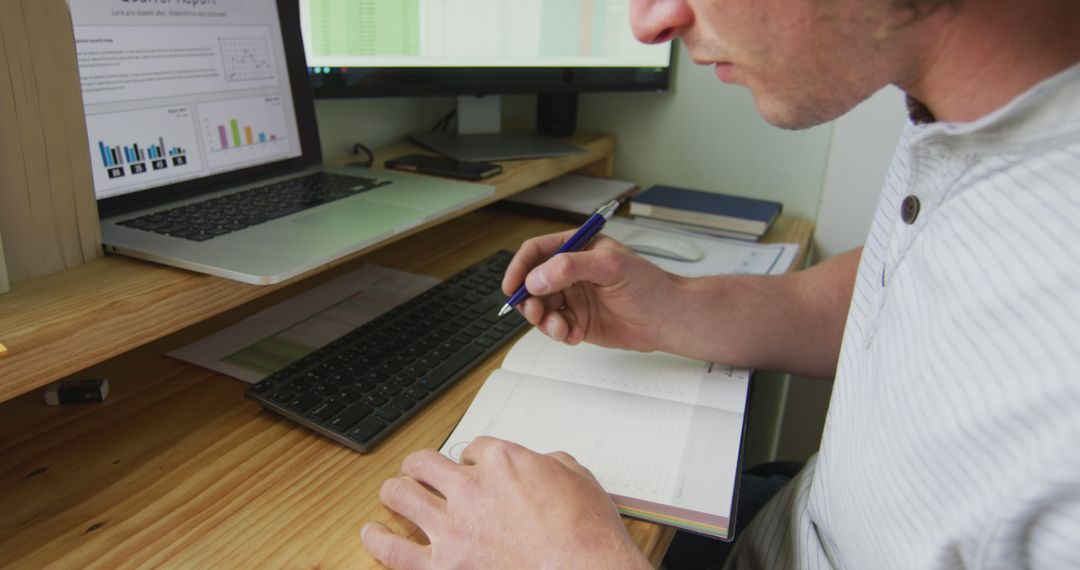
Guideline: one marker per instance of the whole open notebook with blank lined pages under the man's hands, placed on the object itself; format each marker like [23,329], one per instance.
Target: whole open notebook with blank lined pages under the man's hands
[663,433]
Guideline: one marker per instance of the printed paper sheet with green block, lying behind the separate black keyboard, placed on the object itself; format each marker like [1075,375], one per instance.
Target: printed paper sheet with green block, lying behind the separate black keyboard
[256,347]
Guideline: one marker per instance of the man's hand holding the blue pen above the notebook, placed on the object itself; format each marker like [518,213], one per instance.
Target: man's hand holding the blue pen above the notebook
[605,295]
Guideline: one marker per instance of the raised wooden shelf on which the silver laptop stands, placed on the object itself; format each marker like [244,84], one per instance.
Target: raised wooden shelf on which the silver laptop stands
[60,324]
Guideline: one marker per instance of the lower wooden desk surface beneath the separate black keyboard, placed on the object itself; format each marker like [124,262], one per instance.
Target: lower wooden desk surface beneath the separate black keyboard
[179,469]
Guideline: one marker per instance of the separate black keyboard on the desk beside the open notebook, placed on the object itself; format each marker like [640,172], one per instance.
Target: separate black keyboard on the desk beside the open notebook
[364,386]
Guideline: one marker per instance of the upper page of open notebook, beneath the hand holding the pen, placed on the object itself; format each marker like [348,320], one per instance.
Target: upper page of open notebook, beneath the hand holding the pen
[655,375]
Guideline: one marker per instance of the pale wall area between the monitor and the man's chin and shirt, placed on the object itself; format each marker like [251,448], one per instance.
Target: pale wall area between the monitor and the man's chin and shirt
[706,134]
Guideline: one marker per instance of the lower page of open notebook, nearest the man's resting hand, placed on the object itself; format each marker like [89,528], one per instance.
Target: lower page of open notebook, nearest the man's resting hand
[654,451]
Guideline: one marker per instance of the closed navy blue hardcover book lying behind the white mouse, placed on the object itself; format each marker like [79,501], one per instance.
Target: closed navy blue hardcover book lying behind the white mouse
[710,210]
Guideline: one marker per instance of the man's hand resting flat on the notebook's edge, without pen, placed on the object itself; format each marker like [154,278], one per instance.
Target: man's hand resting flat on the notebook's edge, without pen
[504,507]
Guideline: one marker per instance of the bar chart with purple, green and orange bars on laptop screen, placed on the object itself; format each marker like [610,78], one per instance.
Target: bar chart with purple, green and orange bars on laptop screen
[240,131]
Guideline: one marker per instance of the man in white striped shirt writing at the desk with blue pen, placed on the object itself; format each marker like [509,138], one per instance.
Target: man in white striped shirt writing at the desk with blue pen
[955,423]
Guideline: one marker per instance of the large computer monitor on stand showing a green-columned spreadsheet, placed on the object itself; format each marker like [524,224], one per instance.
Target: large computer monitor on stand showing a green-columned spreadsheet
[480,50]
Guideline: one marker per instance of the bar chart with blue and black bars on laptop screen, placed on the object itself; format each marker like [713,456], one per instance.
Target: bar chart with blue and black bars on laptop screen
[137,150]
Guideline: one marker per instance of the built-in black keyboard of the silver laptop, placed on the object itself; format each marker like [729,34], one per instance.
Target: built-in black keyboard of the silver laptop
[226,214]
